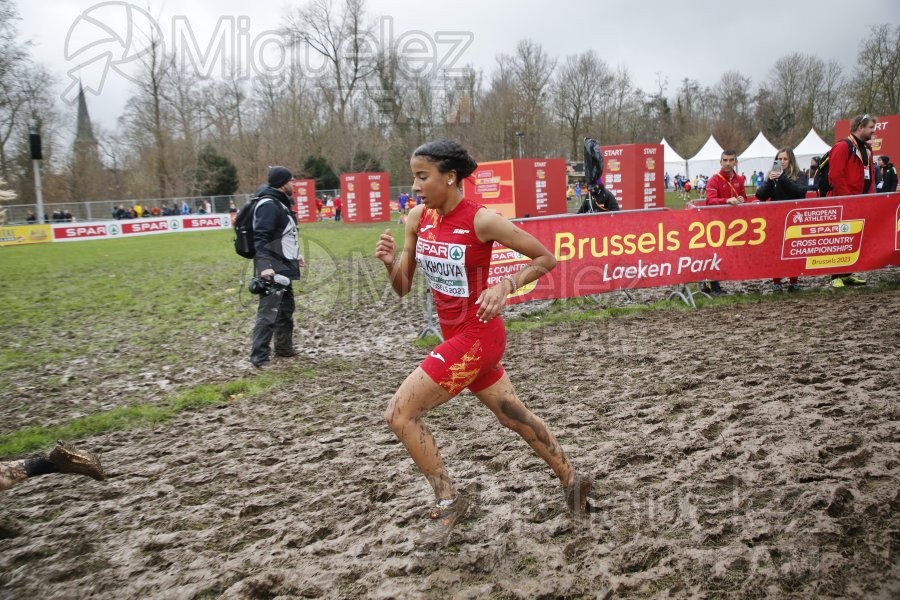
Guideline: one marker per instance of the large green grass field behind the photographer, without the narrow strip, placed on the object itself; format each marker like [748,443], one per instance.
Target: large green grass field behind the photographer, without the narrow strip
[55,295]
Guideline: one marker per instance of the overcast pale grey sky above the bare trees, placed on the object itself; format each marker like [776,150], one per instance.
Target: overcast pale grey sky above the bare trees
[656,40]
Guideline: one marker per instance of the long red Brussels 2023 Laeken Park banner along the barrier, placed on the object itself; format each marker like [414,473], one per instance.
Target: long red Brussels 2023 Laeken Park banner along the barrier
[638,249]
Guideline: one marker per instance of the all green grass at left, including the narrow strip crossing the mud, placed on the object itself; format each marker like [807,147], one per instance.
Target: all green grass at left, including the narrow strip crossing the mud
[127,305]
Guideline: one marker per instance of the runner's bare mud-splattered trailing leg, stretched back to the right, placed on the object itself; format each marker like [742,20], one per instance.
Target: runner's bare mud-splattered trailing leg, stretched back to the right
[501,398]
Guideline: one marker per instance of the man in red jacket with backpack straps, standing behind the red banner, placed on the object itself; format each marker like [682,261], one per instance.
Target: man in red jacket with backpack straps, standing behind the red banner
[852,172]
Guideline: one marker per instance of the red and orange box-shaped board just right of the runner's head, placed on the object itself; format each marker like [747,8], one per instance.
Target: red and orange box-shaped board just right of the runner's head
[523,187]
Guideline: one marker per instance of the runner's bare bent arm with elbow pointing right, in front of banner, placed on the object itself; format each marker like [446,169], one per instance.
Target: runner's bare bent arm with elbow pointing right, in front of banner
[489,226]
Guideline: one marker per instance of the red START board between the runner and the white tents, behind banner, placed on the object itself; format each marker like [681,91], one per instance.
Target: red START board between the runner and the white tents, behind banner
[634,173]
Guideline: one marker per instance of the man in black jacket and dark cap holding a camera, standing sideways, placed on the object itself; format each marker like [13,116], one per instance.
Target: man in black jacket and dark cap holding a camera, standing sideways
[277,252]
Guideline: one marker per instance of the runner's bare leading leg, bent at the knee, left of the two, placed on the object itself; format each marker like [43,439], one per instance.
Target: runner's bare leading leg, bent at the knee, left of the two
[417,395]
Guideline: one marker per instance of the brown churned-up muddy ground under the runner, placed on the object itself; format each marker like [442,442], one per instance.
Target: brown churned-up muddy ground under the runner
[740,451]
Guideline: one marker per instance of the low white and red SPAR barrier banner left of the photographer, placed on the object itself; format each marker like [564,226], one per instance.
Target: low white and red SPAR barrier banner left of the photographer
[75,232]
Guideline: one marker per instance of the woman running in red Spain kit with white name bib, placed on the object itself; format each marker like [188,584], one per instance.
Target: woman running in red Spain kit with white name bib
[450,239]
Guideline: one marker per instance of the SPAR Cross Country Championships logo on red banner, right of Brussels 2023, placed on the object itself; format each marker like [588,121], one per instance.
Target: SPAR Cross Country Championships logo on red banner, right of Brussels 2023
[822,238]
